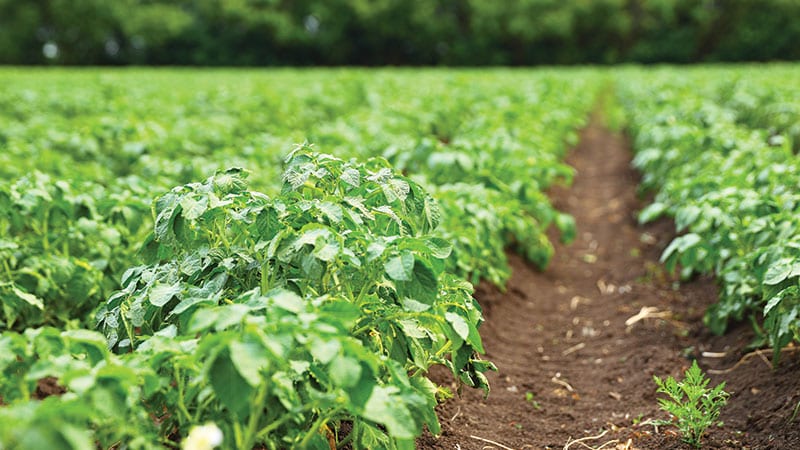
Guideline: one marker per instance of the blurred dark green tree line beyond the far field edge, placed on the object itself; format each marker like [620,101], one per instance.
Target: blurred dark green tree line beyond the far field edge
[397,32]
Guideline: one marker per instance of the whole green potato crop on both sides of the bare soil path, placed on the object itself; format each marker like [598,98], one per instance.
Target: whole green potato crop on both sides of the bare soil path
[286,254]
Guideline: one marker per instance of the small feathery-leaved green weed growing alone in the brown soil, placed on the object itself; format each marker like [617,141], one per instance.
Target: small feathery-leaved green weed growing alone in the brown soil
[693,405]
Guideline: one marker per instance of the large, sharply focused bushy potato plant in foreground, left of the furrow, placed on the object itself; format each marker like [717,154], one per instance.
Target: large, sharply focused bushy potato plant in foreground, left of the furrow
[327,305]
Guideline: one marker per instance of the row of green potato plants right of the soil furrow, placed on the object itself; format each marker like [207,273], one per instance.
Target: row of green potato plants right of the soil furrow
[720,154]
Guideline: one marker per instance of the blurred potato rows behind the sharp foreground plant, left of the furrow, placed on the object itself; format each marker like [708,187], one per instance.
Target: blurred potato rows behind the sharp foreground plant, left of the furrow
[85,163]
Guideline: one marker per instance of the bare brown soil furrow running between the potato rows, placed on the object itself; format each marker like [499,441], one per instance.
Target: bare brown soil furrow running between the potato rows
[569,365]
